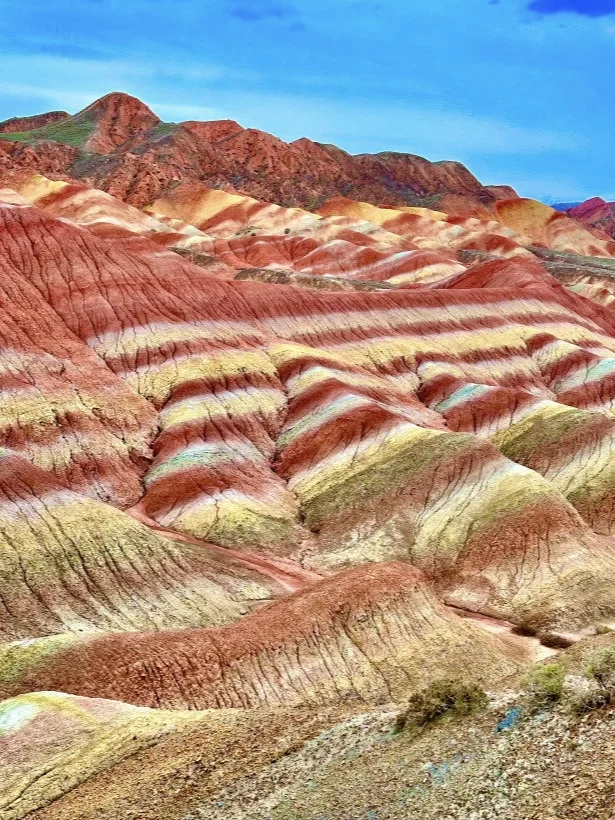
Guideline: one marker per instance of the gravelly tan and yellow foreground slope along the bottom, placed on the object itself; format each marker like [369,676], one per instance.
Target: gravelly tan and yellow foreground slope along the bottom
[69,758]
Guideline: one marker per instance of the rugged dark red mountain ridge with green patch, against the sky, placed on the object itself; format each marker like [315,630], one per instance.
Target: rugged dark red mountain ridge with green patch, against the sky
[122,147]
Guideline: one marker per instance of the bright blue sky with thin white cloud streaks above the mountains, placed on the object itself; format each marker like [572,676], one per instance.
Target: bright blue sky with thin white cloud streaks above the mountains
[521,91]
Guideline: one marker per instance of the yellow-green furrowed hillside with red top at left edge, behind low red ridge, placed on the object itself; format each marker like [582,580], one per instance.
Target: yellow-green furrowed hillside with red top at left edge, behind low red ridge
[73,564]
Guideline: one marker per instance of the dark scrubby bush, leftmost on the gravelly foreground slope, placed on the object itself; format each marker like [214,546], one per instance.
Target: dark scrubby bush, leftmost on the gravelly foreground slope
[446,696]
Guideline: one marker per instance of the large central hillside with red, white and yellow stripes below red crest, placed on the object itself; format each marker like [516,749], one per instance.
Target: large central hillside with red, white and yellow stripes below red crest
[338,428]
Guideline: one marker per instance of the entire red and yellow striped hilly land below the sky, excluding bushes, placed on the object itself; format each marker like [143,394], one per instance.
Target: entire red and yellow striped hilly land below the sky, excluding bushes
[268,472]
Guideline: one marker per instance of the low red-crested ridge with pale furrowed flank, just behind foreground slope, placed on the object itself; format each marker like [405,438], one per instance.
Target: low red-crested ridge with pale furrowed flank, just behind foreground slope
[372,634]
